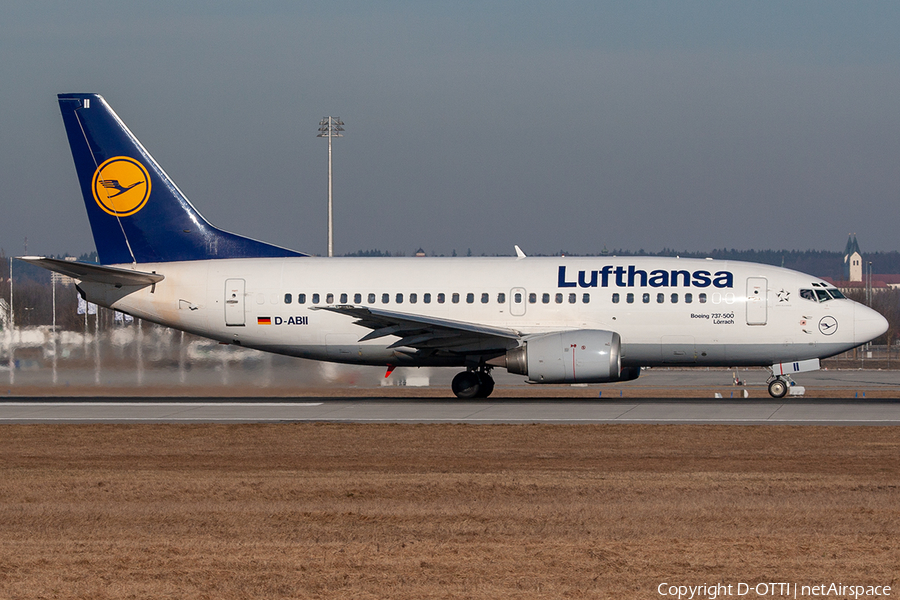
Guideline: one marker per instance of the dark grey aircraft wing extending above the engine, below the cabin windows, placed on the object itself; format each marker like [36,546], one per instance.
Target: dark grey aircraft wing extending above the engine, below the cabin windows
[429,333]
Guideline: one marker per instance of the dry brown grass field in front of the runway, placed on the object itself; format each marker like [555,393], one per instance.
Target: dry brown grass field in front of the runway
[440,511]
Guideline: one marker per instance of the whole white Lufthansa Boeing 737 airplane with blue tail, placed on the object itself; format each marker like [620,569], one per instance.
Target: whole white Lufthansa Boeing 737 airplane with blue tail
[554,320]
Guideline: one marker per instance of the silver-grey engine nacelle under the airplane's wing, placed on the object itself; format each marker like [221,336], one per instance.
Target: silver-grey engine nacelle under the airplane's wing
[581,356]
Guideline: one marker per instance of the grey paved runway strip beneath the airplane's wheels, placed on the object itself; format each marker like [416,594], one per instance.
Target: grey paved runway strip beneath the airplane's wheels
[428,410]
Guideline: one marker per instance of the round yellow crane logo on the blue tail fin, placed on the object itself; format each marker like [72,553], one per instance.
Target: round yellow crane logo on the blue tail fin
[121,186]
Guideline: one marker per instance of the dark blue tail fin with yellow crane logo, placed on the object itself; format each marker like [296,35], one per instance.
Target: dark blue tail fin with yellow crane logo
[137,213]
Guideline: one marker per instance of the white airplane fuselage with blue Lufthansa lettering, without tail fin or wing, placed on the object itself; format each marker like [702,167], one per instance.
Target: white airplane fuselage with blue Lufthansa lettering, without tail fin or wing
[667,311]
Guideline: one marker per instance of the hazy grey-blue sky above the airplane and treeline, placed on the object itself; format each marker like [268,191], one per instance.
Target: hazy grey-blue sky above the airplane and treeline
[556,126]
